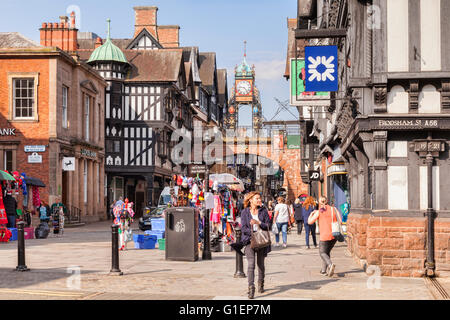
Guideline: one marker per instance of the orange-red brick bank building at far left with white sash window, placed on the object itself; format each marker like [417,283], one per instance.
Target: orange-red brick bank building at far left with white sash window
[51,100]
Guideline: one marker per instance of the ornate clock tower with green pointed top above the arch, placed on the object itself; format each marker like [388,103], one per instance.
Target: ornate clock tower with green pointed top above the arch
[244,92]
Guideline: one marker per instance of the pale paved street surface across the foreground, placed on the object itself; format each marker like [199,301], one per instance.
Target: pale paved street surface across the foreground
[76,267]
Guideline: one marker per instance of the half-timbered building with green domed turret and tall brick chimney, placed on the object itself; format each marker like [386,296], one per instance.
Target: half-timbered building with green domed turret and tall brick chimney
[154,91]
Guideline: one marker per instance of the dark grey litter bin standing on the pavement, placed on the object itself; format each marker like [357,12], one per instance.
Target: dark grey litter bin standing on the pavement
[182,234]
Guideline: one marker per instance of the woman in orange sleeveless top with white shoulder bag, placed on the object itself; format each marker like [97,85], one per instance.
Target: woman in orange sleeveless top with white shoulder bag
[326,215]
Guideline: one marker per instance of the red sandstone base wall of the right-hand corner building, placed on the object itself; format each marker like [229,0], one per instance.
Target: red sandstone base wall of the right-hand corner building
[397,244]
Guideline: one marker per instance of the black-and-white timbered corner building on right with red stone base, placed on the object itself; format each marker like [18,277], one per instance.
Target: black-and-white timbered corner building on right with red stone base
[391,110]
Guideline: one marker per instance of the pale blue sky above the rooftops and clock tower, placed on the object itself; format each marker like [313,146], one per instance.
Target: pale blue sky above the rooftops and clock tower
[219,26]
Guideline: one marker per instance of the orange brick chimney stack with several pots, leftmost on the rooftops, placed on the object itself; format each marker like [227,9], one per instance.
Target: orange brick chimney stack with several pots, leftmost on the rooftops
[60,34]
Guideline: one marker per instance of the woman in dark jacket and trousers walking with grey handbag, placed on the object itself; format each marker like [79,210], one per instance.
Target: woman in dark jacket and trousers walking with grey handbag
[254,216]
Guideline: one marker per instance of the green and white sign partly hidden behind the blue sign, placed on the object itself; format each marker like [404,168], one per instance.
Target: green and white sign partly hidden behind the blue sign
[299,96]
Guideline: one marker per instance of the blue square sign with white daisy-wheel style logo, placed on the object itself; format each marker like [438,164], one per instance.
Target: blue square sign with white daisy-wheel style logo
[321,68]
